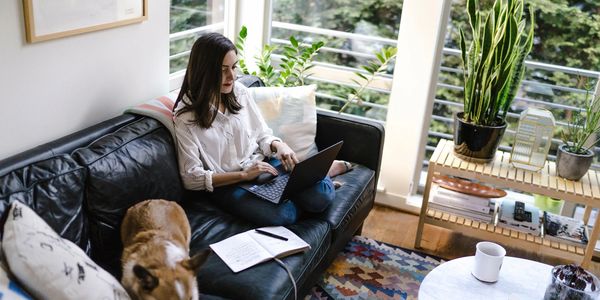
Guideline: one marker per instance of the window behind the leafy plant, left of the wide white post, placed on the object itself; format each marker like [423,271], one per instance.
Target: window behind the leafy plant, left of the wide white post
[353,30]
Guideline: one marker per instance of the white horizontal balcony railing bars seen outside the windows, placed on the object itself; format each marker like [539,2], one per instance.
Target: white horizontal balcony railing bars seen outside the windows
[533,91]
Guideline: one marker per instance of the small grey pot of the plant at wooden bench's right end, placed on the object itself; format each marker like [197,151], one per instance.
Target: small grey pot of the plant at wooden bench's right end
[572,166]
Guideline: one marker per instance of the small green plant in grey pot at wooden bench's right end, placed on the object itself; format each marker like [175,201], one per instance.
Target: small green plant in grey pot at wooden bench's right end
[574,156]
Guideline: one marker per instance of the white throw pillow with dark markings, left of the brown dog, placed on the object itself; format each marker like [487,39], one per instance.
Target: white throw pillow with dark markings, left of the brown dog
[50,267]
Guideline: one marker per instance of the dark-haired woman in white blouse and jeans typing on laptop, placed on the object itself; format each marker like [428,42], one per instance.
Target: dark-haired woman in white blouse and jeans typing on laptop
[223,140]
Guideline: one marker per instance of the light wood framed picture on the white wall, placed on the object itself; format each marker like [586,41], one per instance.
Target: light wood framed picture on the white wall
[51,19]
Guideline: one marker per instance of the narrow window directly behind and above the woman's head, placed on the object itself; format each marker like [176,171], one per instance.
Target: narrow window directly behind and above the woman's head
[189,19]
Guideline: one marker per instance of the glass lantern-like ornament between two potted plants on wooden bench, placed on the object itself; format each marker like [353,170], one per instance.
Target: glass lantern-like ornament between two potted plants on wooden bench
[533,139]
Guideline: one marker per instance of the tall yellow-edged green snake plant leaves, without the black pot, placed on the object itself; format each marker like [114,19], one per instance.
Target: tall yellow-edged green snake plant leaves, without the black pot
[493,63]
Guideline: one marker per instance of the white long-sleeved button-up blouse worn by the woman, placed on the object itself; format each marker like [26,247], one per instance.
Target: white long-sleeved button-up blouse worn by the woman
[234,142]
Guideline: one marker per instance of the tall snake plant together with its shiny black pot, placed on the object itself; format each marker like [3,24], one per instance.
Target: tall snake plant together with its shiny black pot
[493,67]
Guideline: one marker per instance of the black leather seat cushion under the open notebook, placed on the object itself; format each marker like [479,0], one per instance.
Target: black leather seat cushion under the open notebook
[264,281]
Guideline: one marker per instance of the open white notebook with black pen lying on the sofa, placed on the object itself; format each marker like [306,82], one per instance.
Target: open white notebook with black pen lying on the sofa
[249,248]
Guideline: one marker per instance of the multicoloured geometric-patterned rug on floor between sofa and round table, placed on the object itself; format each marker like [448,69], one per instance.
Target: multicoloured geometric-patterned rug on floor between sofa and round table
[368,269]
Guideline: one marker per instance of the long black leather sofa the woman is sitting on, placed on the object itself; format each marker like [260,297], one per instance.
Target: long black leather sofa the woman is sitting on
[83,183]
